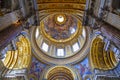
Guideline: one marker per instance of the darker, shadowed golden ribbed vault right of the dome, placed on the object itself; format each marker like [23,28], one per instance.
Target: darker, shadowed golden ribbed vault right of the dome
[100,58]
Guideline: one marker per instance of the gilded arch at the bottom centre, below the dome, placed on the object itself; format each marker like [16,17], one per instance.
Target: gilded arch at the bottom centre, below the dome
[59,72]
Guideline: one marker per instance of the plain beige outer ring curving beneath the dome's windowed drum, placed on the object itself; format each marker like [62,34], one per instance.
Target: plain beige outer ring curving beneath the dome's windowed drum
[48,59]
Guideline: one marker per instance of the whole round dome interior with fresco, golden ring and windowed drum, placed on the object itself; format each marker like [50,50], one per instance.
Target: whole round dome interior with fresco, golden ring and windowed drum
[60,40]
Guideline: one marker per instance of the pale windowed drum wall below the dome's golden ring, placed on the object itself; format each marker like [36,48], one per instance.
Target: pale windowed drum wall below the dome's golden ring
[61,51]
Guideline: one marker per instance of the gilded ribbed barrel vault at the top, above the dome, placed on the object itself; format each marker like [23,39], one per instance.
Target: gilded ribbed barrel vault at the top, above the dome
[75,7]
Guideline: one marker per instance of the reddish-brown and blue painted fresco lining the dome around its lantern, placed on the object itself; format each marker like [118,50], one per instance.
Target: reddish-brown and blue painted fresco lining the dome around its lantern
[60,31]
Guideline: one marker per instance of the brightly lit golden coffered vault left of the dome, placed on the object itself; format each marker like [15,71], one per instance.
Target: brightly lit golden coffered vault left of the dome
[20,58]
